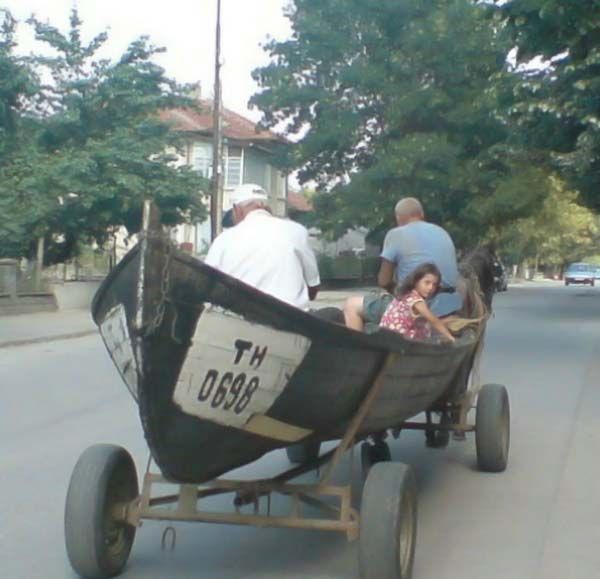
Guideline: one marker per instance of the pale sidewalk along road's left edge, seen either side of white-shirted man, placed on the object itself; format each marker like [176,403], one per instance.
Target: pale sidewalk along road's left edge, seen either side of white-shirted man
[27,329]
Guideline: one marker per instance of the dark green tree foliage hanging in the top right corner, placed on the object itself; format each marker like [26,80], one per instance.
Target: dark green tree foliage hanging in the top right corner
[558,104]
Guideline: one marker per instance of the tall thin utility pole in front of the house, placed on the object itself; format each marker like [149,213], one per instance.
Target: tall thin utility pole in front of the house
[216,199]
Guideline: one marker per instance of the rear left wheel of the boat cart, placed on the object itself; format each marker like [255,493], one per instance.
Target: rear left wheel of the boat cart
[97,544]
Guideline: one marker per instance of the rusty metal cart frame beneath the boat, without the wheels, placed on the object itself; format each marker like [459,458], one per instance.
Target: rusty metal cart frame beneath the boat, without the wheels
[343,517]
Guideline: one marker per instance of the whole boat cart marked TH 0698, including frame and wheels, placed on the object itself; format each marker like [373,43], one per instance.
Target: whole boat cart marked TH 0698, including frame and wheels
[223,374]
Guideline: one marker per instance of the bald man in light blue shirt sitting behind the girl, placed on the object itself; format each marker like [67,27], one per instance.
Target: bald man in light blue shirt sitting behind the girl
[412,243]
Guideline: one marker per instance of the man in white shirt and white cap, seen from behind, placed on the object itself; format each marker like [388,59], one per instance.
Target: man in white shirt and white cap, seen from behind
[270,253]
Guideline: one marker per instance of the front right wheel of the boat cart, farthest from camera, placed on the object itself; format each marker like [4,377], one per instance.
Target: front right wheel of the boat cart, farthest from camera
[492,428]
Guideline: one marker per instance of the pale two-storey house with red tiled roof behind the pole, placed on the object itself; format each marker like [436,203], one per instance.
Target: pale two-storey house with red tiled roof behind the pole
[247,158]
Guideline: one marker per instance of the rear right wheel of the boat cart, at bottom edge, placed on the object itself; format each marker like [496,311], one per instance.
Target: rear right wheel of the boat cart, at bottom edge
[388,523]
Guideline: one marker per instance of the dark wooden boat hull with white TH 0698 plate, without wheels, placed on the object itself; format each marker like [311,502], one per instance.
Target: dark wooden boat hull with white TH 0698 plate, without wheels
[223,373]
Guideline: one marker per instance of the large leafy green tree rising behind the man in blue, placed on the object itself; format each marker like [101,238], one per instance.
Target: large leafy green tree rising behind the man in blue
[398,98]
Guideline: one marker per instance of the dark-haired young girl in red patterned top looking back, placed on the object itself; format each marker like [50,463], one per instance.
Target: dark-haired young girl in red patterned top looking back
[408,313]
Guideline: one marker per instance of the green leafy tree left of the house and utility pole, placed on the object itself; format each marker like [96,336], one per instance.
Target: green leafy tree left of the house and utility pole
[98,148]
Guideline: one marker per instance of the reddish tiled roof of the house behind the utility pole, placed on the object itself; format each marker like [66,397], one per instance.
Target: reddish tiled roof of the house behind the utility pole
[234,126]
